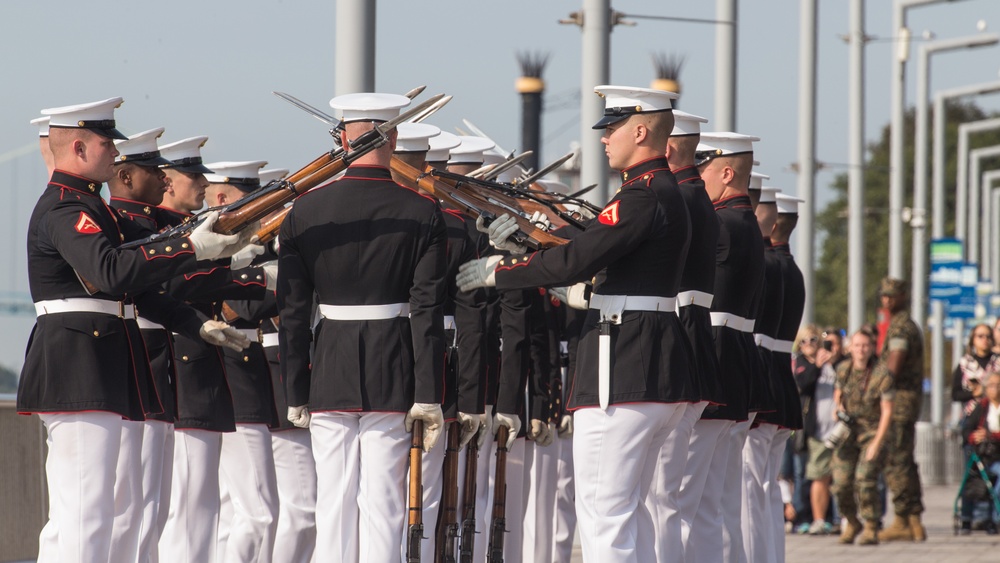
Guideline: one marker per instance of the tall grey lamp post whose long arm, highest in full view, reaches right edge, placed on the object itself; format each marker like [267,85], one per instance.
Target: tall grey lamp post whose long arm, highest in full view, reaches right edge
[919,221]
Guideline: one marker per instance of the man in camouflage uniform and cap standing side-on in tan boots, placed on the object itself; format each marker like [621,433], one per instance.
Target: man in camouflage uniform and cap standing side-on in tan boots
[903,356]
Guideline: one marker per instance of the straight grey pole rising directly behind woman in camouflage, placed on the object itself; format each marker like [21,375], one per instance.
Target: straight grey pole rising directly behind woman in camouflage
[856,171]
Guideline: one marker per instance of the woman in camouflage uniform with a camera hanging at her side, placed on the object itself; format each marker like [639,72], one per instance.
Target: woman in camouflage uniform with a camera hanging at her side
[864,391]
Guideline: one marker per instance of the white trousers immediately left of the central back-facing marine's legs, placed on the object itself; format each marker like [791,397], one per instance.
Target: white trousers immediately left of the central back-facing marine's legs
[295,470]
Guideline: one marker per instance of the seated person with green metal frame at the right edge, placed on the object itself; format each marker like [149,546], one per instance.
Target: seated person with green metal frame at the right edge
[981,432]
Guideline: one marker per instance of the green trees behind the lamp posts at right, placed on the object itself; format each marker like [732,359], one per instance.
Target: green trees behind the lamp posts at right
[831,276]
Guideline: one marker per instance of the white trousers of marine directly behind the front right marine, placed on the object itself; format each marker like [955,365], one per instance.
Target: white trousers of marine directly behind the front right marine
[662,502]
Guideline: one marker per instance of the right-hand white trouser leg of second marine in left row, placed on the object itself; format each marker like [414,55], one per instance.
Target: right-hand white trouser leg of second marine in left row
[157,458]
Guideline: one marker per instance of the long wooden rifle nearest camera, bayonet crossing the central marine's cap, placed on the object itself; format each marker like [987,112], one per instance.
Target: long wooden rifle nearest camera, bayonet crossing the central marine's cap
[236,216]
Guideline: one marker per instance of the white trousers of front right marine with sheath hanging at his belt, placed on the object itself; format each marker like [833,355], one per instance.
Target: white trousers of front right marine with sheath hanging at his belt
[615,453]
